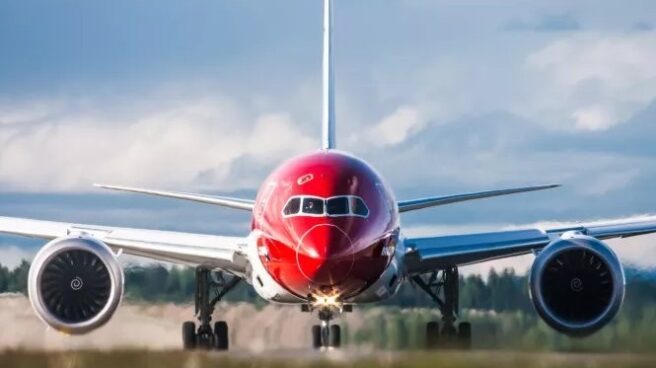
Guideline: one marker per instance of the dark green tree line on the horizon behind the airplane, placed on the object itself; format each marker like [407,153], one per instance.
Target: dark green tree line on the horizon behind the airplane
[500,291]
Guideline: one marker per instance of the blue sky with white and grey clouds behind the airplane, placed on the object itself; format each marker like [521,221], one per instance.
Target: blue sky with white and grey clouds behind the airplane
[440,96]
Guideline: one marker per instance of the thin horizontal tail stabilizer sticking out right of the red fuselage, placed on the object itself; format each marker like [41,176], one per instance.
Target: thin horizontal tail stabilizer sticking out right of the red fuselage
[416,204]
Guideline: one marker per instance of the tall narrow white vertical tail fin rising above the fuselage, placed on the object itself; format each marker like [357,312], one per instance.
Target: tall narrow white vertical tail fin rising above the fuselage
[328,127]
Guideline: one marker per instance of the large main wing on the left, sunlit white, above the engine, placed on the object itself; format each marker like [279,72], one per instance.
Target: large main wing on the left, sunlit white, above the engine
[227,253]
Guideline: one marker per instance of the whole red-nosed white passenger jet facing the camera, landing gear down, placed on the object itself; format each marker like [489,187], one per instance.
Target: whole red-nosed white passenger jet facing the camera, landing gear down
[325,235]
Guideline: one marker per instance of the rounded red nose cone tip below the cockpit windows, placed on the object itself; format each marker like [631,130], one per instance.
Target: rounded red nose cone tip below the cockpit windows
[324,255]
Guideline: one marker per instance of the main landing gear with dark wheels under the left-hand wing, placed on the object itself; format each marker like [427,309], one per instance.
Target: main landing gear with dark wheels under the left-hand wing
[206,337]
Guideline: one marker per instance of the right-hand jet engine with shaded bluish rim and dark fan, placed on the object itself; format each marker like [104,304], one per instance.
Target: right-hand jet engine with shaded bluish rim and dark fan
[577,284]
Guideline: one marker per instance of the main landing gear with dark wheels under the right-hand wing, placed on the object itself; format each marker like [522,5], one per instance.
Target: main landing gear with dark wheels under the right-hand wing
[443,287]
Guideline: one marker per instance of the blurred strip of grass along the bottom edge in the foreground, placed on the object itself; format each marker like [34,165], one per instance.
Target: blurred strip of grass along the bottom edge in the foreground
[177,359]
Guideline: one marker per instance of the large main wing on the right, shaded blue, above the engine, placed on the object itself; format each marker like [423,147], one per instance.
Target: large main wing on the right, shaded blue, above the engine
[430,253]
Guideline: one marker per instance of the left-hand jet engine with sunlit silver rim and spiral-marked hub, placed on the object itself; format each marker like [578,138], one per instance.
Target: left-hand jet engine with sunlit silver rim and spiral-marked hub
[75,284]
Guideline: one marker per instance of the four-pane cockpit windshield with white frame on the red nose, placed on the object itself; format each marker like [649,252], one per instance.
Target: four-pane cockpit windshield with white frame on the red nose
[331,207]
